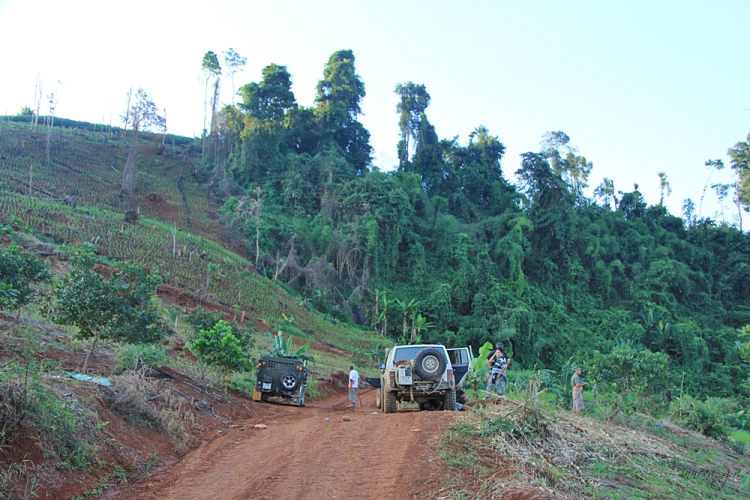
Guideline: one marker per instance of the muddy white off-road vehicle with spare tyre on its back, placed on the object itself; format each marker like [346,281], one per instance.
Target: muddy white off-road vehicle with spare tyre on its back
[420,373]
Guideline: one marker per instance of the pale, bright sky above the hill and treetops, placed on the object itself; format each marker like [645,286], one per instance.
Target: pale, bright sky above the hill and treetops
[639,86]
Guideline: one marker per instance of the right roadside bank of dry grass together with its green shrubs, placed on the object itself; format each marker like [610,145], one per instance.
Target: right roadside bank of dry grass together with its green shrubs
[636,438]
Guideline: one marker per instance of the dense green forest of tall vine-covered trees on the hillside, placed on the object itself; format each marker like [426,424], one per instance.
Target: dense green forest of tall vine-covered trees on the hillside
[537,264]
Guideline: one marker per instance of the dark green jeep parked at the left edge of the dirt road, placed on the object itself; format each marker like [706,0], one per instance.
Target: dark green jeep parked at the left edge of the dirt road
[280,377]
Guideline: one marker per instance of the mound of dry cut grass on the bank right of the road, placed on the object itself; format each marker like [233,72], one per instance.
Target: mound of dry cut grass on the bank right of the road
[518,450]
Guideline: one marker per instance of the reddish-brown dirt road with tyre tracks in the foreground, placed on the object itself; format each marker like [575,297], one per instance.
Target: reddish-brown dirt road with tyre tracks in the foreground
[301,455]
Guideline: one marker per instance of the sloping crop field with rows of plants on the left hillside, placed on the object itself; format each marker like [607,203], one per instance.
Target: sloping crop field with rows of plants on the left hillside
[76,198]
